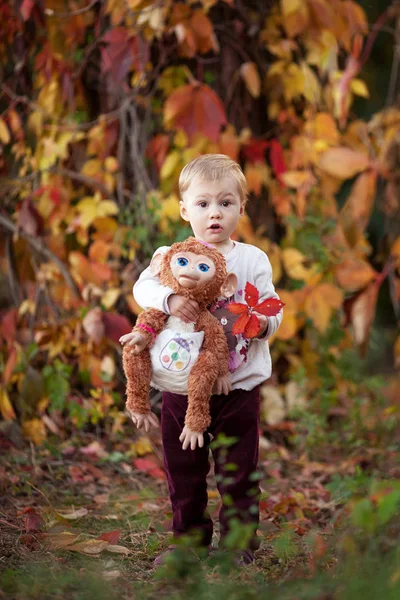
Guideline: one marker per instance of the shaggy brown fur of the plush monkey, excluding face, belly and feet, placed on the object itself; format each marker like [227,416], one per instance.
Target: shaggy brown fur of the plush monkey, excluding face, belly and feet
[213,358]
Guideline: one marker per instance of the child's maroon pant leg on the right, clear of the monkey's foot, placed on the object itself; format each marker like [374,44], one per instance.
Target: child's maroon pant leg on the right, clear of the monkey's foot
[237,415]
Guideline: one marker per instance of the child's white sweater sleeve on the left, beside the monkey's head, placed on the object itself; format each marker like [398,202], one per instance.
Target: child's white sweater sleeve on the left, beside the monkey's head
[149,292]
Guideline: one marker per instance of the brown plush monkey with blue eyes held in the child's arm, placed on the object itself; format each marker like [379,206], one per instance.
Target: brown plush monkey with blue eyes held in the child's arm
[179,357]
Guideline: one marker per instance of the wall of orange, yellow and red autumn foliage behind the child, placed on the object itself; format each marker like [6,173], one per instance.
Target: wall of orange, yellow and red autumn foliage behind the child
[102,105]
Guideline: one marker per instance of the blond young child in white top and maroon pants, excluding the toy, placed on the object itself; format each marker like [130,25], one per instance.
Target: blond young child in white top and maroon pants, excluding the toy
[213,197]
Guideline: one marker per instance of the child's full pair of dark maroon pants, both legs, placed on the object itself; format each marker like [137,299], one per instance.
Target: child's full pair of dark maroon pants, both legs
[234,415]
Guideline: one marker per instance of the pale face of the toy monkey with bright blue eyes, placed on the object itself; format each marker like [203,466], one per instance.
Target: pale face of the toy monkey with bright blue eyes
[192,270]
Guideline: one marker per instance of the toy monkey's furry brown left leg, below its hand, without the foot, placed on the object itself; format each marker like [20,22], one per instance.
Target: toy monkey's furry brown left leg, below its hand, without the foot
[137,370]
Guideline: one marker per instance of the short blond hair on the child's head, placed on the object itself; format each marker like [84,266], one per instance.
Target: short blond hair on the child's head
[211,167]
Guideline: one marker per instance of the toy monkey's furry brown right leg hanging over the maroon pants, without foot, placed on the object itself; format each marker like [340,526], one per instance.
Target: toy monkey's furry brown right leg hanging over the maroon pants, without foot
[200,385]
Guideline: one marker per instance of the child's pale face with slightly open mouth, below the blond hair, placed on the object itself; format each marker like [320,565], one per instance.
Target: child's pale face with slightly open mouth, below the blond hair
[213,209]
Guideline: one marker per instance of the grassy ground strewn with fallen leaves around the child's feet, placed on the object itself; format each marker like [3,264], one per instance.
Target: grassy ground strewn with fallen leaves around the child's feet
[84,518]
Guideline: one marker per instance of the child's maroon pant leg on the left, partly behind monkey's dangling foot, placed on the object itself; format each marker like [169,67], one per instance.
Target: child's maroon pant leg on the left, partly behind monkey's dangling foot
[186,472]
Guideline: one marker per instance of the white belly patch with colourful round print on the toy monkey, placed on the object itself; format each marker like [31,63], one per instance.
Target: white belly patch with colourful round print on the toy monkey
[172,357]
